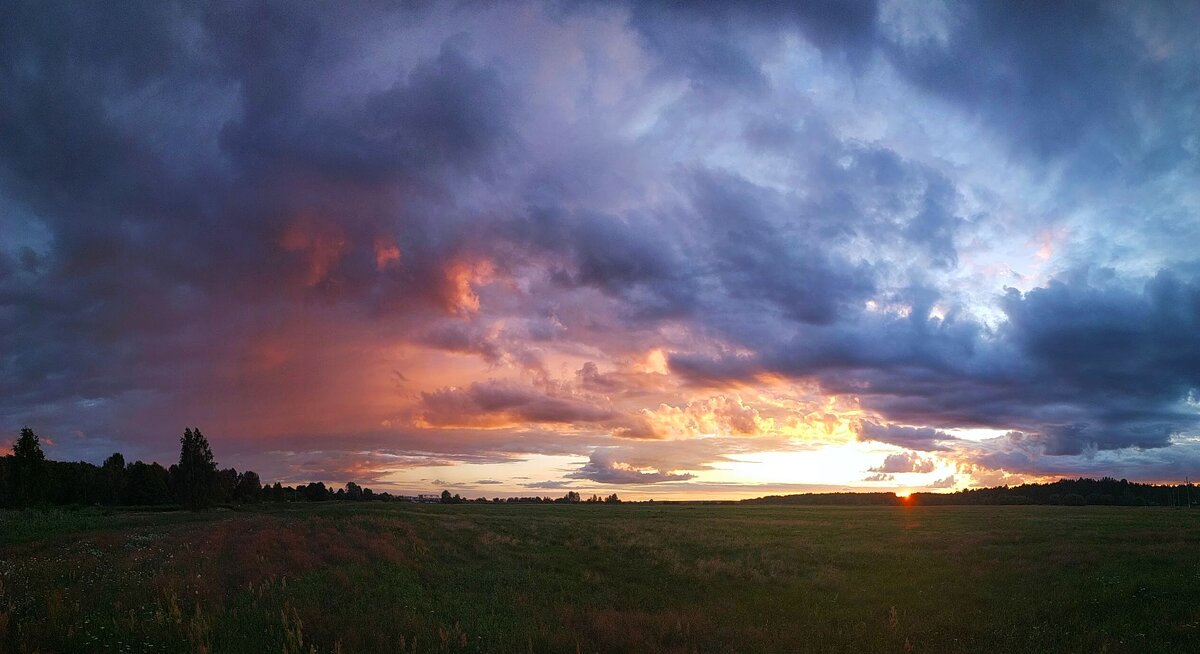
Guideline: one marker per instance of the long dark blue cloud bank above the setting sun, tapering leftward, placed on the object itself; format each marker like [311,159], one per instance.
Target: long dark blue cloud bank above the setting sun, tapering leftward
[1078,365]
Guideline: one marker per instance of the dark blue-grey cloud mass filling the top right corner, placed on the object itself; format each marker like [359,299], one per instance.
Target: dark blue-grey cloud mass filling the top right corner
[1099,82]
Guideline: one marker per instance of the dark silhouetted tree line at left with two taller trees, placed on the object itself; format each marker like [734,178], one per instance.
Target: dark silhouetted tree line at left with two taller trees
[29,479]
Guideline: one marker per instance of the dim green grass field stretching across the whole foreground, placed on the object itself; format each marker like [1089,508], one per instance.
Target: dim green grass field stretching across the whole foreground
[400,578]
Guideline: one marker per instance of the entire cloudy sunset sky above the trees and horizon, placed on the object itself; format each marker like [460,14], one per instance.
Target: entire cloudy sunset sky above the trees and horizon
[705,250]
